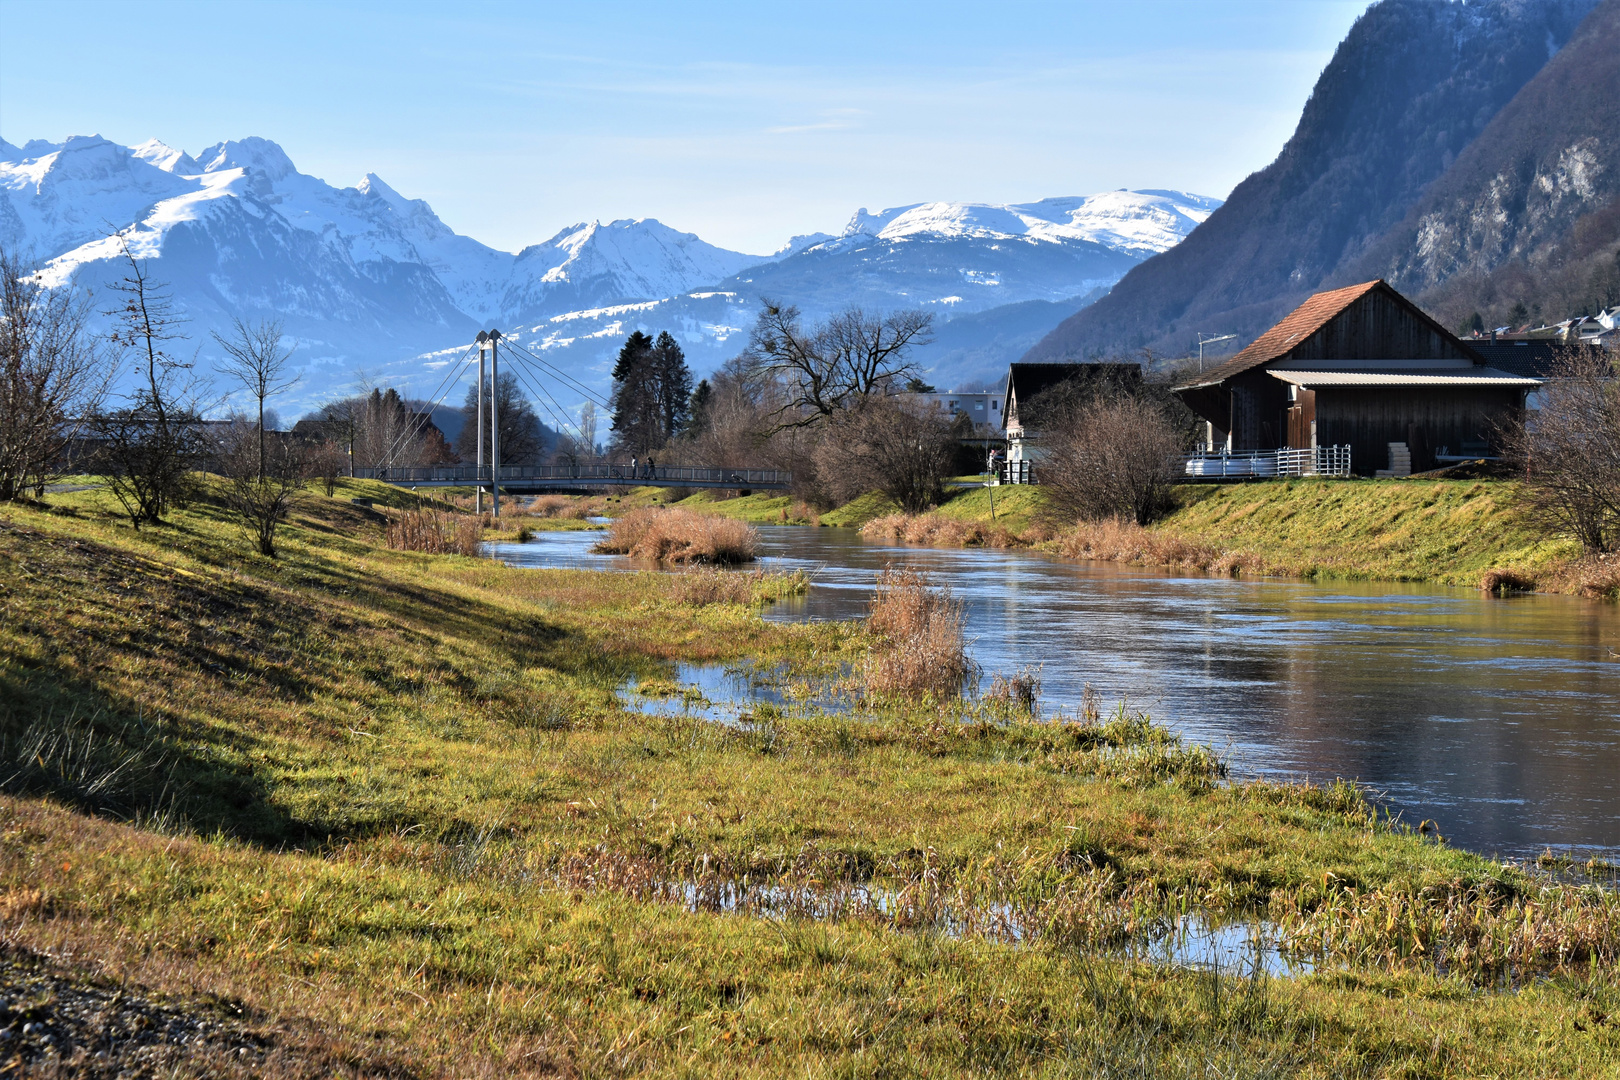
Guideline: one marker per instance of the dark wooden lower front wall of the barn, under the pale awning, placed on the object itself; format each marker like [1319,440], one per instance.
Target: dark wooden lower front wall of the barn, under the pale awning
[1370,419]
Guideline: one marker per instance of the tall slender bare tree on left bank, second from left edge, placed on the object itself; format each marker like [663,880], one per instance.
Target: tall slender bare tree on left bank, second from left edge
[151,446]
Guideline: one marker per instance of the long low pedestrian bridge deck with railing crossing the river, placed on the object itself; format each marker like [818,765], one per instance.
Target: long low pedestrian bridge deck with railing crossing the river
[522,480]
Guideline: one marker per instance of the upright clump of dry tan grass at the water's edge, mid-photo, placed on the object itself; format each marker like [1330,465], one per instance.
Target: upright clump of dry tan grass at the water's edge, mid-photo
[921,650]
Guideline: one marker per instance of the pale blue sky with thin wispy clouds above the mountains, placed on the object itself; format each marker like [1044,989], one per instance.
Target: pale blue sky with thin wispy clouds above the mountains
[746,124]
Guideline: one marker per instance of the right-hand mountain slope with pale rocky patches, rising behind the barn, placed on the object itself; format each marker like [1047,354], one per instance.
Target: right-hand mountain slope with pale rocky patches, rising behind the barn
[1530,215]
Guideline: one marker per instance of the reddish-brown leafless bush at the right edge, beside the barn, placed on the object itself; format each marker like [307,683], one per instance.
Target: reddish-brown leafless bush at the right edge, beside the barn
[1571,449]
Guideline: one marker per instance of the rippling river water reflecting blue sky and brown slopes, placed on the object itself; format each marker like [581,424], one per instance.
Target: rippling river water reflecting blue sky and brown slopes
[1499,720]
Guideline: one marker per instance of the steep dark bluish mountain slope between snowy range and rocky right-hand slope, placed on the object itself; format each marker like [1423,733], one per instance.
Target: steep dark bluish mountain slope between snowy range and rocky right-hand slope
[1409,90]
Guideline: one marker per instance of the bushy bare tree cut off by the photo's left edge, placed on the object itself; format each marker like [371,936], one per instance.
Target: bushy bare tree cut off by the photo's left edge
[53,376]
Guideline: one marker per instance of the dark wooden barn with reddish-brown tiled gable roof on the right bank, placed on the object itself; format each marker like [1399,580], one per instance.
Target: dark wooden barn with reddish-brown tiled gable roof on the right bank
[1358,367]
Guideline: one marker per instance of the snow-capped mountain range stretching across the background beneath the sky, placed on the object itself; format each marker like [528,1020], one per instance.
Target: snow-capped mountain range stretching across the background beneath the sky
[375,286]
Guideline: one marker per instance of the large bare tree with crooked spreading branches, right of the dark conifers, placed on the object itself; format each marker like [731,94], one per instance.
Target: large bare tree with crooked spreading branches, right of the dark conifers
[835,365]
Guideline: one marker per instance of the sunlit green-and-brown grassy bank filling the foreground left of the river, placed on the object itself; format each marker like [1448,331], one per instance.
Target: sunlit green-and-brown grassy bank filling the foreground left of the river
[393,807]
